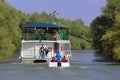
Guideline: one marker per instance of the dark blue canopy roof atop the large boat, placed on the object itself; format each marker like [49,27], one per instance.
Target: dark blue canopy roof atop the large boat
[43,25]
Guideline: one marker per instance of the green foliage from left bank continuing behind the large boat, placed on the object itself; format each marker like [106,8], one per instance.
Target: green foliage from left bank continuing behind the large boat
[12,20]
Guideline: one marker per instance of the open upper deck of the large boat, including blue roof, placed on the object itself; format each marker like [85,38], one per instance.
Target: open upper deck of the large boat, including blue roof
[45,31]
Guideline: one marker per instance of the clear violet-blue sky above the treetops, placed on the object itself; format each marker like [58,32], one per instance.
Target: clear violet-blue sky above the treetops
[87,10]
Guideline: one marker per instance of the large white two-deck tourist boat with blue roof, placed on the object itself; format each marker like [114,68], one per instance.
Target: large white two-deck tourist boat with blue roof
[53,37]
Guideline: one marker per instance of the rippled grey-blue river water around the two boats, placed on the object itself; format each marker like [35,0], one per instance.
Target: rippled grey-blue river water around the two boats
[84,66]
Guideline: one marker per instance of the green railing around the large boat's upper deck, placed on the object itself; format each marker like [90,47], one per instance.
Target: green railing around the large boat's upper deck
[46,36]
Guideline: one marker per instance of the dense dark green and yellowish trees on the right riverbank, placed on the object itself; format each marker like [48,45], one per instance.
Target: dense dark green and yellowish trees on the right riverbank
[106,30]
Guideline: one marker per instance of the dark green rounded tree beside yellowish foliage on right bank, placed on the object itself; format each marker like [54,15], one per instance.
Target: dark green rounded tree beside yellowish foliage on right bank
[99,26]
